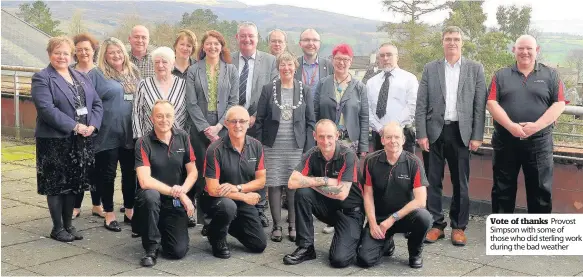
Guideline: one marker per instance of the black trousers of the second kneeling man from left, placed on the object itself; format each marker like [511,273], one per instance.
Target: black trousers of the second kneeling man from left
[236,218]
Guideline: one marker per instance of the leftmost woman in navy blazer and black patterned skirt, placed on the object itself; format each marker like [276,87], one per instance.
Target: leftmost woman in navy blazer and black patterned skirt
[69,112]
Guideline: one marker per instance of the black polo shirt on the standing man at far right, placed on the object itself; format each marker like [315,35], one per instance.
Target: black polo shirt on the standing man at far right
[526,98]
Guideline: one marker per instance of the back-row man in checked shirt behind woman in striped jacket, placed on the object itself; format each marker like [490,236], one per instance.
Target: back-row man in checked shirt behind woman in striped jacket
[139,39]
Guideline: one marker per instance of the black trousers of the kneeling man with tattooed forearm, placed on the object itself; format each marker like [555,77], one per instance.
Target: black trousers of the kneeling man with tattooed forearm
[347,224]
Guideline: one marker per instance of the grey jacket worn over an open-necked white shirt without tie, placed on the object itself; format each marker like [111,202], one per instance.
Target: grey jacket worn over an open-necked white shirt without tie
[471,101]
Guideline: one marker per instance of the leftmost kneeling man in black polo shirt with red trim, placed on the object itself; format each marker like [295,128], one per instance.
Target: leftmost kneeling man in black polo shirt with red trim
[166,172]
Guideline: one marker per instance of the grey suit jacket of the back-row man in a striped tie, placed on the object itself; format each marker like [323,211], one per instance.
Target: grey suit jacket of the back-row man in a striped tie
[264,71]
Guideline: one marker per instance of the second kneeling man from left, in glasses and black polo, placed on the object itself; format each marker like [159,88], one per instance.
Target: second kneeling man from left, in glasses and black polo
[234,171]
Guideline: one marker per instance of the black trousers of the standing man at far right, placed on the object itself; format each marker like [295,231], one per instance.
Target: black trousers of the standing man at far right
[535,156]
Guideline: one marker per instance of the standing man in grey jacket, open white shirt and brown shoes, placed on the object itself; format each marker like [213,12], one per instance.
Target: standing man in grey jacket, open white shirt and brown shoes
[449,118]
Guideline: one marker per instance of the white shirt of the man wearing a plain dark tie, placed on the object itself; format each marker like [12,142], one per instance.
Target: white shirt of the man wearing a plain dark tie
[400,102]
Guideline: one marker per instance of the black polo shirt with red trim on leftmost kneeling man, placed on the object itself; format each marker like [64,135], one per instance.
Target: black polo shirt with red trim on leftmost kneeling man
[166,161]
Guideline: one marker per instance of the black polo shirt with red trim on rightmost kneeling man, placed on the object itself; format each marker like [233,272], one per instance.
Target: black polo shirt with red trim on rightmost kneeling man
[392,185]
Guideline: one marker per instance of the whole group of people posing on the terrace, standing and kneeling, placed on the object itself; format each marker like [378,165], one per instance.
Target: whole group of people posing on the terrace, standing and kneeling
[196,129]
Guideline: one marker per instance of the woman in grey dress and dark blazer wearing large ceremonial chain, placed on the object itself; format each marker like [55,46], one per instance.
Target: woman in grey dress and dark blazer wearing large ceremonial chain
[285,125]
